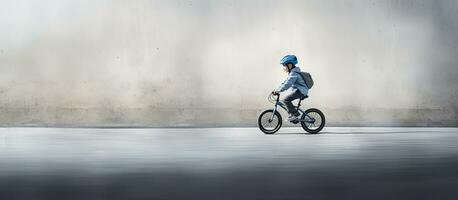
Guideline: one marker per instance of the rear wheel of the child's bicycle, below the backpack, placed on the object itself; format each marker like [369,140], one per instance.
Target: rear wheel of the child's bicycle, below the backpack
[316,122]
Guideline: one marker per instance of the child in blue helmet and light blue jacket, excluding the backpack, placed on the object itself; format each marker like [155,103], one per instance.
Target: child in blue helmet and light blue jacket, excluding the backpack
[294,81]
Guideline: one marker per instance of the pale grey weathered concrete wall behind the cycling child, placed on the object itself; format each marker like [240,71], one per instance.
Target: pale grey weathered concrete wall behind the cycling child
[212,63]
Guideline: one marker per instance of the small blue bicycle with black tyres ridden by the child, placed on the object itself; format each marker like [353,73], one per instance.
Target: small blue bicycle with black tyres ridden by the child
[312,120]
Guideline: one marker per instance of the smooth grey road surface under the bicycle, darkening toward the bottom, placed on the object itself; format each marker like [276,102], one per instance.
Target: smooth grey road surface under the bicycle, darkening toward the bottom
[228,163]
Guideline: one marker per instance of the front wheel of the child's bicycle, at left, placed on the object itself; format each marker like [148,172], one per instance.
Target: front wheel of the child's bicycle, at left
[267,125]
